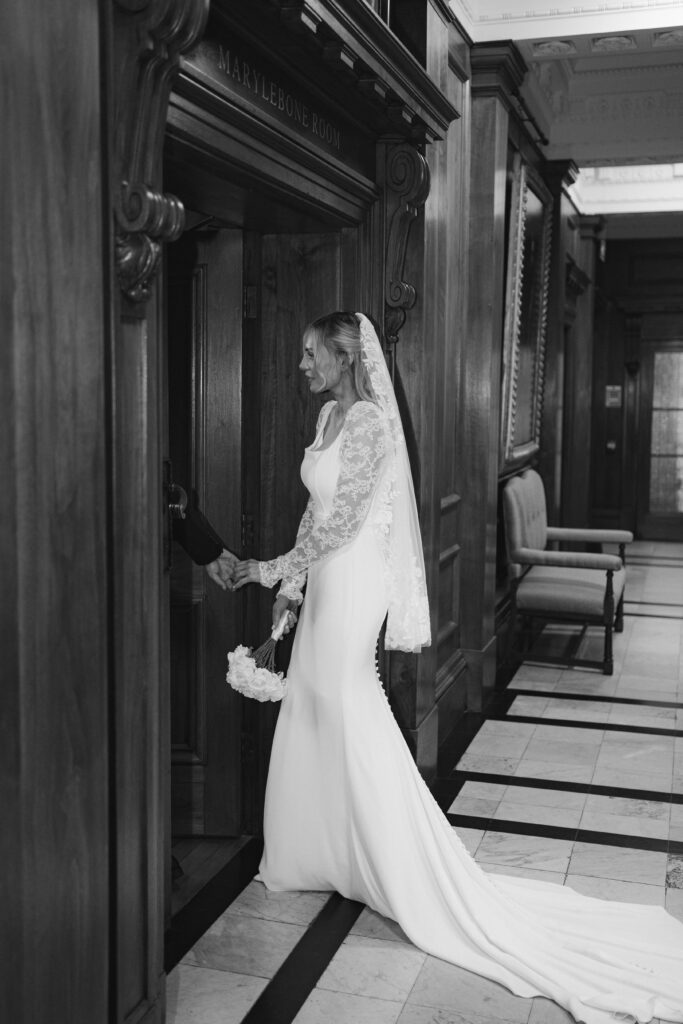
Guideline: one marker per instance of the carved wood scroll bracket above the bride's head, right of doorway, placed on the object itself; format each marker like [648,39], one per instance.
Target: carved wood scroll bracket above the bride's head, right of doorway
[408,189]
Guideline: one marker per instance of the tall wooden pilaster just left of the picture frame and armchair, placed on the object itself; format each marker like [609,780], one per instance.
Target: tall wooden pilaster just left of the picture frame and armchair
[479,442]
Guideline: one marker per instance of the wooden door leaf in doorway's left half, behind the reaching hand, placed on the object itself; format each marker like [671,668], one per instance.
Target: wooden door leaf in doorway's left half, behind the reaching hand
[205,301]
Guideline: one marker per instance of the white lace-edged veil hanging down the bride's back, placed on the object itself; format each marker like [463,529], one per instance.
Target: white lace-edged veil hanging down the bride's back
[408,622]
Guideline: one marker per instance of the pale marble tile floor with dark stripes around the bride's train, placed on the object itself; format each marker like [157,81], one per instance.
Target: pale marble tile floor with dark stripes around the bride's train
[579,782]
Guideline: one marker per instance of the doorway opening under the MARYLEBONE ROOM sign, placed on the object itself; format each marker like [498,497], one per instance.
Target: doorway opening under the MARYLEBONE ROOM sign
[241,284]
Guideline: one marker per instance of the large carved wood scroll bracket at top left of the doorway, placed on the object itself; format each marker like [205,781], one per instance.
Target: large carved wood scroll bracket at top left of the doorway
[151,37]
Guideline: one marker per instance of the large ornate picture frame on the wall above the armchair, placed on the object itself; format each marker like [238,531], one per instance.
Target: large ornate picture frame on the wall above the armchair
[526,315]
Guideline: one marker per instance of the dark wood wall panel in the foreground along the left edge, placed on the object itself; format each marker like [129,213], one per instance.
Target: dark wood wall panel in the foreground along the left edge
[55,605]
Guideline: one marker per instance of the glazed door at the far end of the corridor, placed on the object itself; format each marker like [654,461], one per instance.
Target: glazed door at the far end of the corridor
[661,444]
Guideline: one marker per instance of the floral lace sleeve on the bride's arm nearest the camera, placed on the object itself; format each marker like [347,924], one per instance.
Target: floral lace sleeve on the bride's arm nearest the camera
[363,448]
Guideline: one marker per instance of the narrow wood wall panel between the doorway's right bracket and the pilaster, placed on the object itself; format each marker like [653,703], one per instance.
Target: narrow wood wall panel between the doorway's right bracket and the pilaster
[446,308]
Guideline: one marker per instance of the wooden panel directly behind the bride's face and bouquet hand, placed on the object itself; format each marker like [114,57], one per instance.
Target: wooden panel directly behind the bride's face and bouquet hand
[291,279]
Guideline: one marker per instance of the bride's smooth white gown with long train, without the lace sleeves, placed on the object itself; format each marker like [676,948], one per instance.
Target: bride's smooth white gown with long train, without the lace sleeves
[348,810]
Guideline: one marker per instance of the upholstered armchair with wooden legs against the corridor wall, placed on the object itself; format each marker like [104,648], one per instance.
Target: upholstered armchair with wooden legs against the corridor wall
[563,586]
